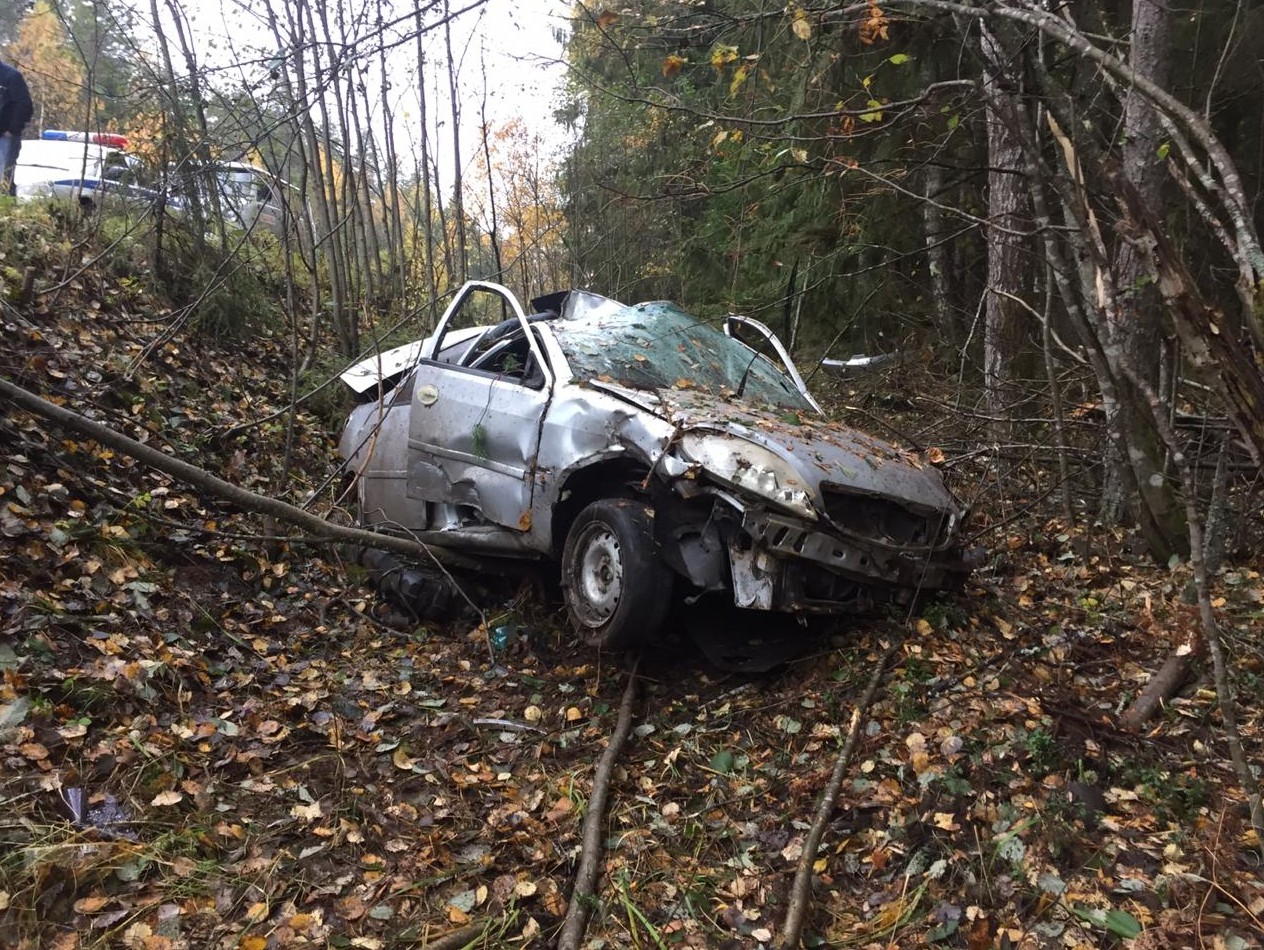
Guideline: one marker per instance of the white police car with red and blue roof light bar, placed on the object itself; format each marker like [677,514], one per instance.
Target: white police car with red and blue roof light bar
[87,169]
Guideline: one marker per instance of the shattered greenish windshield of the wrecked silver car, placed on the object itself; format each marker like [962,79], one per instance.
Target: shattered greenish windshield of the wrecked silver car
[660,347]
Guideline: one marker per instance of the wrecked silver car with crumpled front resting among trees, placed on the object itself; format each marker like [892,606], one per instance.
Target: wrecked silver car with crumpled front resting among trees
[639,448]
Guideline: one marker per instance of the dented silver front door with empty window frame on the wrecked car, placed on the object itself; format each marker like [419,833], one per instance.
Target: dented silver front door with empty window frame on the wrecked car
[477,411]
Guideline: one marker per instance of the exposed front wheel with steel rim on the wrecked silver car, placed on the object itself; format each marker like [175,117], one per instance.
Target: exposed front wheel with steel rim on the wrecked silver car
[616,587]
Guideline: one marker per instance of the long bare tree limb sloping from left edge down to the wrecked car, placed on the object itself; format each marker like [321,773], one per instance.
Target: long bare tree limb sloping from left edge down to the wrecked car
[203,479]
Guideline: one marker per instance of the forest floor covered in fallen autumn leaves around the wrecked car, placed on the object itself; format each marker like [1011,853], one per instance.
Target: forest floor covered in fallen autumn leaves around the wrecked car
[213,737]
